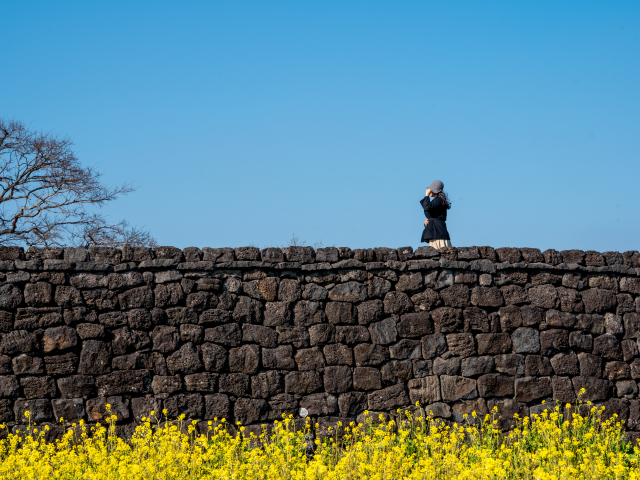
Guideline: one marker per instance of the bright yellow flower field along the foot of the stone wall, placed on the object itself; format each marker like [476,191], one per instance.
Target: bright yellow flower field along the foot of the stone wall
[547,446]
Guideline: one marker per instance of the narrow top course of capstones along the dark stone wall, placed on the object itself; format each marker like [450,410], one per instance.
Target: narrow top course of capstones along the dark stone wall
[482,259]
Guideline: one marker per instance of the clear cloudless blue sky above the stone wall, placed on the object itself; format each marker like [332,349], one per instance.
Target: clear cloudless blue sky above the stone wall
[244,122]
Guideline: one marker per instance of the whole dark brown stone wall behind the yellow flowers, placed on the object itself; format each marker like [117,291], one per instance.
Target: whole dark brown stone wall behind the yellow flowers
[248,335]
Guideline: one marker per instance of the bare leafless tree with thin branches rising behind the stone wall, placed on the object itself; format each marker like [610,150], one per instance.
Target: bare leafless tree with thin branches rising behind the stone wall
[47,198]
